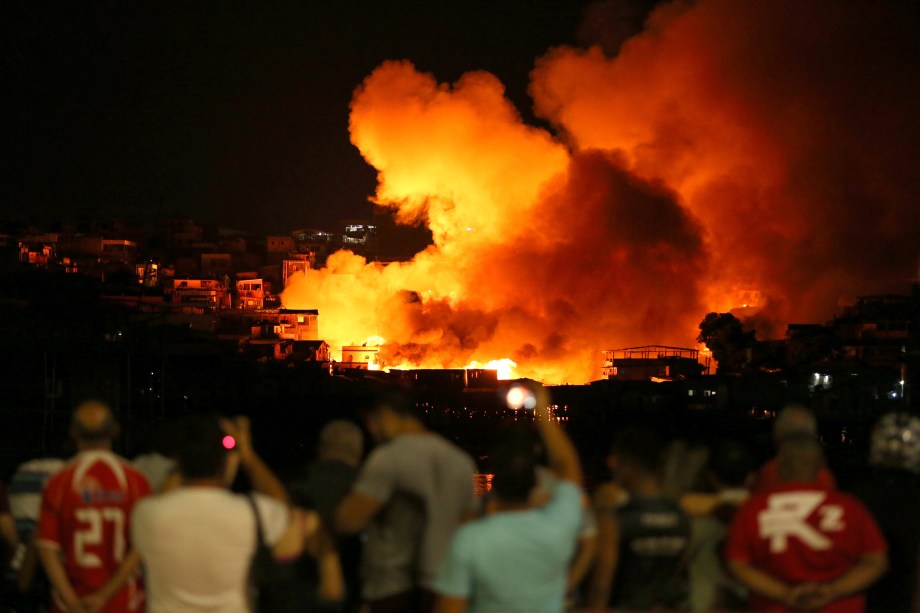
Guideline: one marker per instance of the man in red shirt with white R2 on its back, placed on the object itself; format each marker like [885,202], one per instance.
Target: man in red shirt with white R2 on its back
[804,546]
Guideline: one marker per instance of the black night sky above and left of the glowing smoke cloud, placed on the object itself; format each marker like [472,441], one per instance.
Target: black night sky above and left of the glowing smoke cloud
[231,112]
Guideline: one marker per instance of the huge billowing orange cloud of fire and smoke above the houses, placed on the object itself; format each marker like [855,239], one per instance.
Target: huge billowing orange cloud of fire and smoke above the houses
[725,148]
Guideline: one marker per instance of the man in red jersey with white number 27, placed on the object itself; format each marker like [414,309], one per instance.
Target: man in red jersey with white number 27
[83,529]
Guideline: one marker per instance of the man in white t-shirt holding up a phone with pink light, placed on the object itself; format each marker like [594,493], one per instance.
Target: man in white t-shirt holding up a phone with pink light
[197,540]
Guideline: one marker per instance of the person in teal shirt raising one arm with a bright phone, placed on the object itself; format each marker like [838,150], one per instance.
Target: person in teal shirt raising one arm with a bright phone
[517,557]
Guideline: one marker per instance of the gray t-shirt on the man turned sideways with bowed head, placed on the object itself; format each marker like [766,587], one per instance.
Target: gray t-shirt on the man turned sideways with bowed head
[426,484]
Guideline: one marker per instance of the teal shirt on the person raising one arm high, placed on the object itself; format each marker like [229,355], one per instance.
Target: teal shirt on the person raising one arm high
[517,560]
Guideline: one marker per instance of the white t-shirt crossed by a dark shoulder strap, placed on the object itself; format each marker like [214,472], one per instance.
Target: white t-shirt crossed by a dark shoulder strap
[197,545]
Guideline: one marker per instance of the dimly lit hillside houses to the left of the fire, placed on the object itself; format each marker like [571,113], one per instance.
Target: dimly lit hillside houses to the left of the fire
[207,278]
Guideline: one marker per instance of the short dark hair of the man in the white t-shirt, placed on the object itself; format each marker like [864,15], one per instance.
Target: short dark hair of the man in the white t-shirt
[199,449]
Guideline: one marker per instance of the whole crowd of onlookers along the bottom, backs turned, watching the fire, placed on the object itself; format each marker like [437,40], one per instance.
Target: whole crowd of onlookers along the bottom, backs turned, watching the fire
[204,524]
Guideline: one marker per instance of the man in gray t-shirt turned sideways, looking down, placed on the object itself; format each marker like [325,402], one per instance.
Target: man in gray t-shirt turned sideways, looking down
[409,497]
